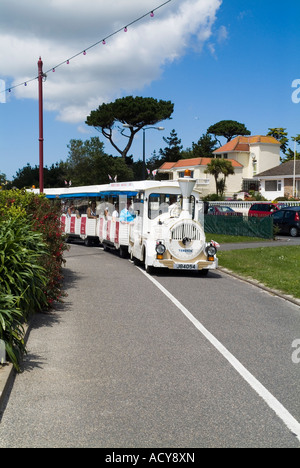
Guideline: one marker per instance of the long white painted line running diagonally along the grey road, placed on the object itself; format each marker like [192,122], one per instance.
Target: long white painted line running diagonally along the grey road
[292,424]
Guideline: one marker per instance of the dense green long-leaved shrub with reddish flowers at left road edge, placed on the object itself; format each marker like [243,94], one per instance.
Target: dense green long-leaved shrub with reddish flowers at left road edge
[31,259]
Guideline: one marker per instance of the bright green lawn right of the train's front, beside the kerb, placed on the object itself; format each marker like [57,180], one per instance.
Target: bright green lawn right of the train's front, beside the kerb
[275,267]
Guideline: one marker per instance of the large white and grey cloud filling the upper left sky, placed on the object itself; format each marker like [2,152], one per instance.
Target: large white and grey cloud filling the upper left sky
[58,29]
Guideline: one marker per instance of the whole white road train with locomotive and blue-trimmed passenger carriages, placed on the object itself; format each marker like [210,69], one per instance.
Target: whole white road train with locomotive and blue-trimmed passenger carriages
[160,224]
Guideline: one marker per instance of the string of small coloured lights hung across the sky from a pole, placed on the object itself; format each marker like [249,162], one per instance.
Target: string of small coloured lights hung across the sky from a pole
[102,41]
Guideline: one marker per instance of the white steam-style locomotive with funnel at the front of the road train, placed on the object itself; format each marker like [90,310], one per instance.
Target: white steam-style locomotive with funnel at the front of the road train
[168,229]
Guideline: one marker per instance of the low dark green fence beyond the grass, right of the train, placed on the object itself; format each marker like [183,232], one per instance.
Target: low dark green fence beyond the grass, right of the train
[239,226]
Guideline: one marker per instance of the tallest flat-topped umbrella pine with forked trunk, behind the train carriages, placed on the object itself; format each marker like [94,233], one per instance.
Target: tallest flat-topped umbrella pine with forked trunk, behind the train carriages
[134,112]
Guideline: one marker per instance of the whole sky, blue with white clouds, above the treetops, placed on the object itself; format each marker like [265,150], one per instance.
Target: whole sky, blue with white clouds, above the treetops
[238,61]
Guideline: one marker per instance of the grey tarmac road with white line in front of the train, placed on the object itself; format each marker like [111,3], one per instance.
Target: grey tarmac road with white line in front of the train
[123,365]
